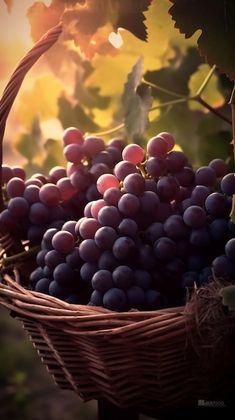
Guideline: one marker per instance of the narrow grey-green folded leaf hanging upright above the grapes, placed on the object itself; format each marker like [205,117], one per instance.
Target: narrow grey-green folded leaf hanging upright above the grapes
[136,101]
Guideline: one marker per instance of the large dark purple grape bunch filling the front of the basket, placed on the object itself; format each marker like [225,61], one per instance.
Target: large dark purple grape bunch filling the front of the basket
[152,227]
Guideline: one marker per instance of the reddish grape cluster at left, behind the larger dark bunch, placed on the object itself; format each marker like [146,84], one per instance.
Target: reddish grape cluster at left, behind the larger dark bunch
[42,202]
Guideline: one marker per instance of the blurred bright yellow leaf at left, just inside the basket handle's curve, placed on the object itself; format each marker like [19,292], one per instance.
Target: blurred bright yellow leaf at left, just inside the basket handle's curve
[40,100]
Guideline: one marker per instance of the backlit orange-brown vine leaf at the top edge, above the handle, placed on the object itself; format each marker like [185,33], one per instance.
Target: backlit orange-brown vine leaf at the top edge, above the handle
[90,22]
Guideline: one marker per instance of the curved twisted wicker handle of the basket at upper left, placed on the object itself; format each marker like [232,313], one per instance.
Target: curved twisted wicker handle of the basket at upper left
[15,82]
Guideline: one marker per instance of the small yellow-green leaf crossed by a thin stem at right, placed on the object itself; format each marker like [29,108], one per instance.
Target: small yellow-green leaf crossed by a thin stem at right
[210,94]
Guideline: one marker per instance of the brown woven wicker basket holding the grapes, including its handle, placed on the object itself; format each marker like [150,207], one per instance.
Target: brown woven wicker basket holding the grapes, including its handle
[151,360]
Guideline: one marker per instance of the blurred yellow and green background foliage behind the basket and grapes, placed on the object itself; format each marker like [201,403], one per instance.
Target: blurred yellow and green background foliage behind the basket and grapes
[83,84]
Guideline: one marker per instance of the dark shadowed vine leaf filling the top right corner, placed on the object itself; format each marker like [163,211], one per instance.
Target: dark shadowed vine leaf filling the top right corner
[215,20]
